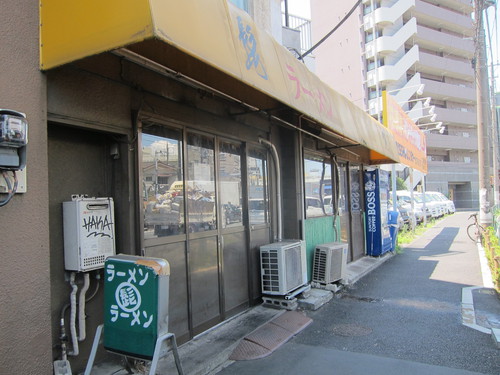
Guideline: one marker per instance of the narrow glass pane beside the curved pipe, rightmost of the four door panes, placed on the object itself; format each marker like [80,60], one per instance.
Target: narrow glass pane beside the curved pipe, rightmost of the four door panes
[258,204]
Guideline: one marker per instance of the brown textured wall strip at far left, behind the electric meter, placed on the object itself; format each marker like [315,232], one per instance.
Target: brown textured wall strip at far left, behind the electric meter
[25,345]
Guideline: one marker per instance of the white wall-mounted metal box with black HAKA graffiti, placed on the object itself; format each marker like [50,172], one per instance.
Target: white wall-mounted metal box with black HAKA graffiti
[89,233]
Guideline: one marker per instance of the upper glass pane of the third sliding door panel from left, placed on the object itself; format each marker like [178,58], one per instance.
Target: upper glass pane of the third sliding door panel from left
[230,184]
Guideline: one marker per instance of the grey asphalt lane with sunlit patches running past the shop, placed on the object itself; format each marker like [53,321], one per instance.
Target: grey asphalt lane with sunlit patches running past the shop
[402,318]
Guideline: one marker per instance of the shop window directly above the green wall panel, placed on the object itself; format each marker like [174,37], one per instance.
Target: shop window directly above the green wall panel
[318,187]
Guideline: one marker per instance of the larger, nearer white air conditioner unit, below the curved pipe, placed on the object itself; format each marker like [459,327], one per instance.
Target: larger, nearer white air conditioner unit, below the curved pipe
[283,267]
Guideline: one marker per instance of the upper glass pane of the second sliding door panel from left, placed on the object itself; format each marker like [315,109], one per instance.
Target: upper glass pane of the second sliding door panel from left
[200,187]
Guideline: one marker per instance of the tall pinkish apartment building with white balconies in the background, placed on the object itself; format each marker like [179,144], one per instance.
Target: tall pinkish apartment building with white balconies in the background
[398,45]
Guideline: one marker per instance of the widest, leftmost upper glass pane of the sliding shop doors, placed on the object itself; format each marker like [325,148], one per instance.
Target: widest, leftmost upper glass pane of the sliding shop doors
[162,178]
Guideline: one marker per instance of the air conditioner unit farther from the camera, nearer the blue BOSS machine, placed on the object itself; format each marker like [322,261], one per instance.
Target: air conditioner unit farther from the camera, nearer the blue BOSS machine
[330,262]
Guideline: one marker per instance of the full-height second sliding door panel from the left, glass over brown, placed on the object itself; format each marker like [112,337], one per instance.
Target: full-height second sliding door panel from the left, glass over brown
[201,208]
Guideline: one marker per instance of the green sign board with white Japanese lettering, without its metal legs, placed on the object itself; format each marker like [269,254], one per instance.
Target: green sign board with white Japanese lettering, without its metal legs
[136,293]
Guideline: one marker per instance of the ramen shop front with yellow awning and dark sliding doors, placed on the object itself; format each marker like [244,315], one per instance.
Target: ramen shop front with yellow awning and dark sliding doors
[173,120]
